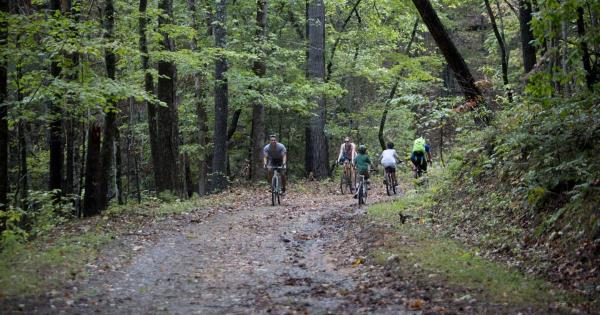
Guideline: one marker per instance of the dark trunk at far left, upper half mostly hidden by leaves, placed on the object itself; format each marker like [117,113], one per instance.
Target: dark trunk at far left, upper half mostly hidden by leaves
[55,140]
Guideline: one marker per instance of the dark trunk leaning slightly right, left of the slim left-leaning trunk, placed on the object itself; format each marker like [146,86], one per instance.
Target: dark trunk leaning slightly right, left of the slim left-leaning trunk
[110,126]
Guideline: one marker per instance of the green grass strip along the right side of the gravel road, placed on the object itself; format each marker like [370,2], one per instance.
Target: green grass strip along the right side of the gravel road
[416,243]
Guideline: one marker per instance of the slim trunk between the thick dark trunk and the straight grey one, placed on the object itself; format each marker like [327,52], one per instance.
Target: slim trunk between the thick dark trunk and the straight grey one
[200,92]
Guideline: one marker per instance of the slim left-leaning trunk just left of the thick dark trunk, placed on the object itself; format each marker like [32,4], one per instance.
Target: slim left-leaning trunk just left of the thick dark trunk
[149,88]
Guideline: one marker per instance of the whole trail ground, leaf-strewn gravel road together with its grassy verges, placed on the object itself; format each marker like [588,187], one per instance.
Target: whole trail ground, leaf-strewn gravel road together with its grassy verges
[316,253]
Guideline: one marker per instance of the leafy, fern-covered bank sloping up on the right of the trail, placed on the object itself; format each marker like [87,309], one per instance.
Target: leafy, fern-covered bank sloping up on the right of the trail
[527,187]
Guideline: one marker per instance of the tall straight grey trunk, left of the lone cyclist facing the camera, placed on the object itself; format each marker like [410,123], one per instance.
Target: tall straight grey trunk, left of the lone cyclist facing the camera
[219,169]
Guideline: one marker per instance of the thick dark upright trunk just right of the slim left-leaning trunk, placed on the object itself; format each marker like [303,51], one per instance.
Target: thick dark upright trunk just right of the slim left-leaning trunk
[167,117]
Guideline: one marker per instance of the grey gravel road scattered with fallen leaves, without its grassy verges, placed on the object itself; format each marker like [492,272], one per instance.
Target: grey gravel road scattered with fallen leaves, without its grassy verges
[299,257]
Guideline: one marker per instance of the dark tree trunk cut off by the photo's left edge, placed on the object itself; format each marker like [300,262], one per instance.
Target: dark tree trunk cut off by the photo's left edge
[3,116]
